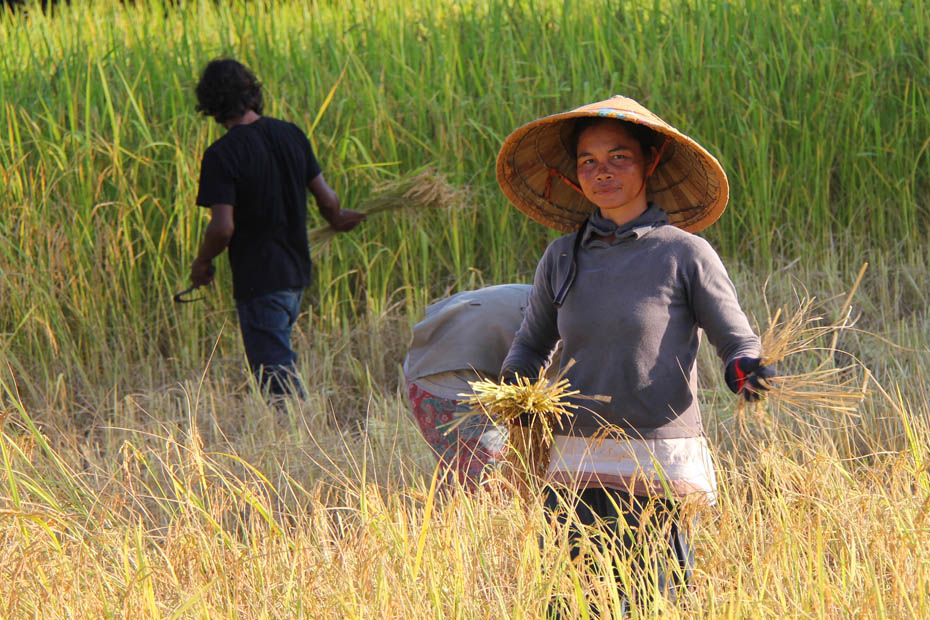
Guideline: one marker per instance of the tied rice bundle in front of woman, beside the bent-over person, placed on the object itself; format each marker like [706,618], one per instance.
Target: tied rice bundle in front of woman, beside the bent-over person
[544,400]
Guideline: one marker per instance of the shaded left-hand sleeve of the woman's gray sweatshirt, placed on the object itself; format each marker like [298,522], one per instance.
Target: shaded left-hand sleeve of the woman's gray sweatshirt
[539,332]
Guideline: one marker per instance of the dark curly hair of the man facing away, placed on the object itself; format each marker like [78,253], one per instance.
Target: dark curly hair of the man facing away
[227,89]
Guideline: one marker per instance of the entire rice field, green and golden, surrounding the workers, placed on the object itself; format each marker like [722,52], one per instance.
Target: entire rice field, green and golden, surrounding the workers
[142,475]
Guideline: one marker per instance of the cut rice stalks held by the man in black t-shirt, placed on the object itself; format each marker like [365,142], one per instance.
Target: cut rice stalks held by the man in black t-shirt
[423,189]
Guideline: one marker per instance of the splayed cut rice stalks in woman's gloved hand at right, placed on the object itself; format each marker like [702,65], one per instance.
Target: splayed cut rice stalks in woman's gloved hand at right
[828,386]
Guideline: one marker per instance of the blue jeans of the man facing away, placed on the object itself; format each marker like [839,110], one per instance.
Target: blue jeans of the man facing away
[266,323]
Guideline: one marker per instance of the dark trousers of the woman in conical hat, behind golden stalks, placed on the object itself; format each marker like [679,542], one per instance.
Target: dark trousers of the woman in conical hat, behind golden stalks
[647,531]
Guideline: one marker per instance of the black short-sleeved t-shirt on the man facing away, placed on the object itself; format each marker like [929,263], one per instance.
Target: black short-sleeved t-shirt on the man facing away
[262,169]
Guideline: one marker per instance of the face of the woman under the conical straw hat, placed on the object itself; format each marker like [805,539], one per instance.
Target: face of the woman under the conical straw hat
[611,166]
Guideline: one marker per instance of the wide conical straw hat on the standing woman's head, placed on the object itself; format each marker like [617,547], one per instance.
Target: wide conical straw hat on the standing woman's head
[688,182]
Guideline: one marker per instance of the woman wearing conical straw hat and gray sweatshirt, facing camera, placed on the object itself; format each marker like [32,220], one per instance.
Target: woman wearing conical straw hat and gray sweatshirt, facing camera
[629,291]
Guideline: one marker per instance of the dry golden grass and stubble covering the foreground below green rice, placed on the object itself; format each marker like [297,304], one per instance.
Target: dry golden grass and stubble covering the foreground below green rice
[198,500]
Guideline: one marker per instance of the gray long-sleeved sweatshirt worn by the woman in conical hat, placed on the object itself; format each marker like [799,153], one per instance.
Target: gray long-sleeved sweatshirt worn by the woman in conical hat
[632,321]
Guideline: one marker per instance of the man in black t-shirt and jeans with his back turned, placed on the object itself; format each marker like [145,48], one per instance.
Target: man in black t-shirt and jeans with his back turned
[254,180]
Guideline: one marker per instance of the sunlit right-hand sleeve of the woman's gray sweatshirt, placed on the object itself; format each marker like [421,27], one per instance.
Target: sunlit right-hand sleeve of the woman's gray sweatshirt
[716,307]
